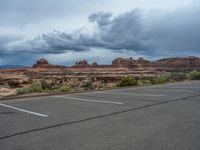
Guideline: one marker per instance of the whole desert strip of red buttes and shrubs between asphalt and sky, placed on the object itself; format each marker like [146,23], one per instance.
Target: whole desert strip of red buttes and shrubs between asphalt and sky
[43,77]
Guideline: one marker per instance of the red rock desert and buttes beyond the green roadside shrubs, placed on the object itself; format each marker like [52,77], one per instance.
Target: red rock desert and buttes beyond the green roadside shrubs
[82,71]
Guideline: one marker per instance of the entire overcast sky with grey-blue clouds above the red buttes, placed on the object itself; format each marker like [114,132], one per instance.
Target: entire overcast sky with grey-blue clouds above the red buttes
[64,31]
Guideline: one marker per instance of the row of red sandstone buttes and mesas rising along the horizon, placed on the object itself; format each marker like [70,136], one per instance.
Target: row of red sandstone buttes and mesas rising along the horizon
[141,63]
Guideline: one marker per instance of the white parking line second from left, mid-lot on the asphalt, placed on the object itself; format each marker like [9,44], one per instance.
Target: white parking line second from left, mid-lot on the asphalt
[88,100]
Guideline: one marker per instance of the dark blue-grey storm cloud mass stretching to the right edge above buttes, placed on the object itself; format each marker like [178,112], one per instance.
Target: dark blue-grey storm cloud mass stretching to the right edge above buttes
[174,32]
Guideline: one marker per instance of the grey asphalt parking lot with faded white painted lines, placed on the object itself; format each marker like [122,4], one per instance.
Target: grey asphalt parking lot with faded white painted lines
[162,117]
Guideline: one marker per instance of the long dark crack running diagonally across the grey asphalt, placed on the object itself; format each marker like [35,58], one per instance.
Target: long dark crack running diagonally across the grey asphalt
[96,117]
